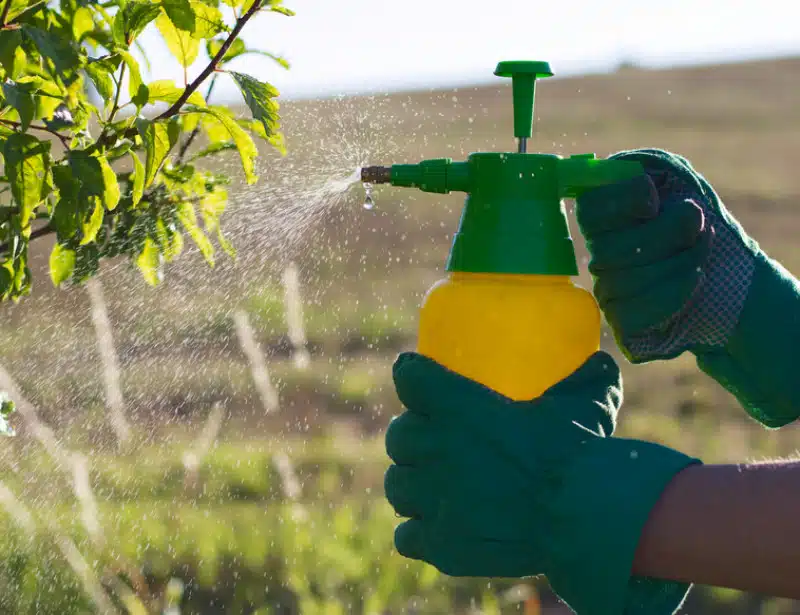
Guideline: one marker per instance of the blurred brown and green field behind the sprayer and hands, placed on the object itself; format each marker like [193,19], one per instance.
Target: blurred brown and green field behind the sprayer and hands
[231,499]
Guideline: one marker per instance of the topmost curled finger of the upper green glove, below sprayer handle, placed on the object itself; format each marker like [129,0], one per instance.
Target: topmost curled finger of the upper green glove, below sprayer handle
[616,206]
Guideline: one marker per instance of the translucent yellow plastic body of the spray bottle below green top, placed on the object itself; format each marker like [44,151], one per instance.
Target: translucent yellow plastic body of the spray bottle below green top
[516,334]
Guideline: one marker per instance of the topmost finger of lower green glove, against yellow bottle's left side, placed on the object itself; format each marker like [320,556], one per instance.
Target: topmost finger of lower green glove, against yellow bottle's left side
[425,386]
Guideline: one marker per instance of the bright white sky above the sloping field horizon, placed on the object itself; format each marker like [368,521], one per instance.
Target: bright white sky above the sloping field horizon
[363,46]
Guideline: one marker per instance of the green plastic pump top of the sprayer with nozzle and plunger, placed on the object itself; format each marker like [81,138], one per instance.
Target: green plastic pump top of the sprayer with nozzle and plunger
[514,220]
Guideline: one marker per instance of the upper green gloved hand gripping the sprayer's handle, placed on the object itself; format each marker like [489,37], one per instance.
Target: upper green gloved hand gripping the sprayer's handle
[674,271]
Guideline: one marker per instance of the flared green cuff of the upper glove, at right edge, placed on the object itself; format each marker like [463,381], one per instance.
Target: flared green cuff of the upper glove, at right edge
[758,365]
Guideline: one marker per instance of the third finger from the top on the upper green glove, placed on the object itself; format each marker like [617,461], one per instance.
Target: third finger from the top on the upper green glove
[612,287]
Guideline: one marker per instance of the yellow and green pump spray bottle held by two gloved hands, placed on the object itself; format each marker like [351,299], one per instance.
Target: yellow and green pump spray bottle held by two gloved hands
[508,314]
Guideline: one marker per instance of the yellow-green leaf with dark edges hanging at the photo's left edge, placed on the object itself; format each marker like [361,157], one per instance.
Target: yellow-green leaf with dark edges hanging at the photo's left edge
[27,168]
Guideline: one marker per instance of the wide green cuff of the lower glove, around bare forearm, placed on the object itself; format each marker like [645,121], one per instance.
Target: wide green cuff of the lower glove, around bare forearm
[606,497]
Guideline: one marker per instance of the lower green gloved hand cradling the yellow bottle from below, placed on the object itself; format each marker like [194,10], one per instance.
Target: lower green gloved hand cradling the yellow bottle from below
[497,488]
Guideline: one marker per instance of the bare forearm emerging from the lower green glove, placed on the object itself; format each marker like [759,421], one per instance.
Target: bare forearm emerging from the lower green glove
[727,526]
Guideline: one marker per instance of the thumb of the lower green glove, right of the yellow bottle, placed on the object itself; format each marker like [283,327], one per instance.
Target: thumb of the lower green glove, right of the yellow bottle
[598,383]
